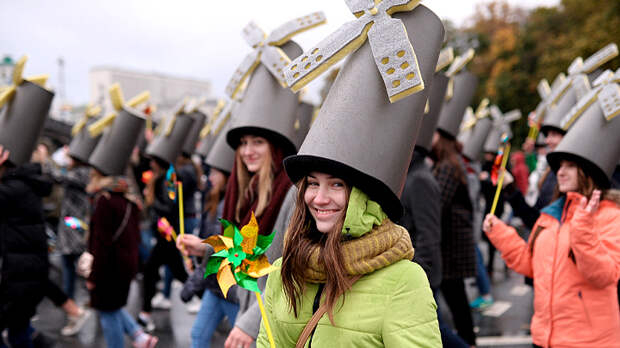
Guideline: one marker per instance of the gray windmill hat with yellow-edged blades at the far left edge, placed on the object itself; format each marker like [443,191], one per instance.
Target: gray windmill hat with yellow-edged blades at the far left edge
[24,106]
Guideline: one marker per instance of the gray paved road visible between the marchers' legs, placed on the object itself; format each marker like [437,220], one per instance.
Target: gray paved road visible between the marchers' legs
[505,324]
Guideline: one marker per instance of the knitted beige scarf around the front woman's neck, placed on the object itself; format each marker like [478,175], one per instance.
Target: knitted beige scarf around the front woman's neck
[382,246]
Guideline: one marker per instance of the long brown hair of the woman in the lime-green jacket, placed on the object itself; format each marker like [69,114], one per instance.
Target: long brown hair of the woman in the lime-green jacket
[301,238]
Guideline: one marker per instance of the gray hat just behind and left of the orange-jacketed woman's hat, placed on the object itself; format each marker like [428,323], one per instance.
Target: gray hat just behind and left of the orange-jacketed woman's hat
[562,99]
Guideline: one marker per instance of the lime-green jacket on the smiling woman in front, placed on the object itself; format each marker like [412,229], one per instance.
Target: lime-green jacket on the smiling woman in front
[391,307]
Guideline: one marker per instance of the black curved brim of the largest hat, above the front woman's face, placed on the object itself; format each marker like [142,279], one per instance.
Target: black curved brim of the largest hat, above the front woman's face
[299,166]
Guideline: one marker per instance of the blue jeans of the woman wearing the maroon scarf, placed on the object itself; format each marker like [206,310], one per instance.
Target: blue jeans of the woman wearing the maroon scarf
[212,311]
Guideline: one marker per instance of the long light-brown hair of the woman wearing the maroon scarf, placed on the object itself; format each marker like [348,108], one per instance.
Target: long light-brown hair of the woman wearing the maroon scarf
[246,182]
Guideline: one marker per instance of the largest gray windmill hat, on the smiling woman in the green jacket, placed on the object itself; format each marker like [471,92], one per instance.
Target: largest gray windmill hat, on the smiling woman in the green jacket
[359,134]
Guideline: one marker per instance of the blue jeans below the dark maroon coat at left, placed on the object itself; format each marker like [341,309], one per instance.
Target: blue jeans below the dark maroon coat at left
[114,324]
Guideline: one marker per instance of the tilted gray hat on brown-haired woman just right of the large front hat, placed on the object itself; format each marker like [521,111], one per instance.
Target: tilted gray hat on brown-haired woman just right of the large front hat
[463,89]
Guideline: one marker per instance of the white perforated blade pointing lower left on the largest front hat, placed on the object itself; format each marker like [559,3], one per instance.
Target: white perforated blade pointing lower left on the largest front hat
[329,51]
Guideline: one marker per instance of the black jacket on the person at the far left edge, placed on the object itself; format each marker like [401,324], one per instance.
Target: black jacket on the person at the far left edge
[23,243]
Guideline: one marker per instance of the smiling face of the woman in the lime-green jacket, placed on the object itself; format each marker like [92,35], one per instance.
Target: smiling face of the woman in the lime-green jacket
[326,198]
